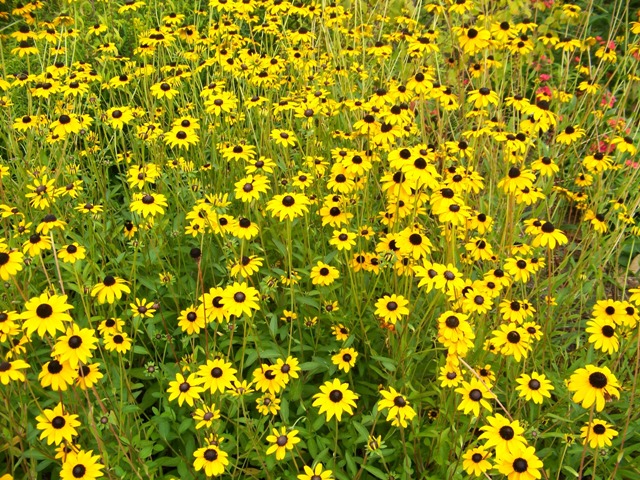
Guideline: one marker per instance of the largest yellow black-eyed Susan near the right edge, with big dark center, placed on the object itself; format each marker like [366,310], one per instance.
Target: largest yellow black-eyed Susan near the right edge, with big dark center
[593,385]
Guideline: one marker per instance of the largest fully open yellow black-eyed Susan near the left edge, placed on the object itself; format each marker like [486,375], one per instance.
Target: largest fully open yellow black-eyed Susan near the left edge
[45,314]
